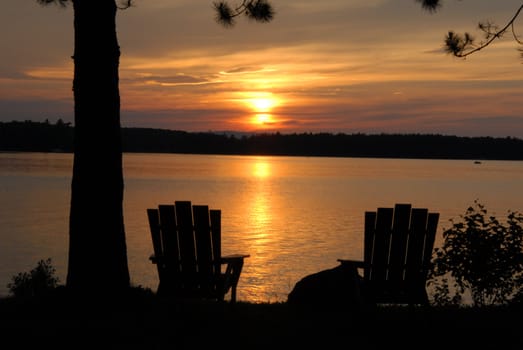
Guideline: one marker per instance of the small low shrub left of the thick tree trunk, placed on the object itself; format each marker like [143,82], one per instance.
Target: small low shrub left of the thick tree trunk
[38,281]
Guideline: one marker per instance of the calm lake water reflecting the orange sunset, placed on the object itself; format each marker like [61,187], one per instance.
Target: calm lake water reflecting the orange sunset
[293,215]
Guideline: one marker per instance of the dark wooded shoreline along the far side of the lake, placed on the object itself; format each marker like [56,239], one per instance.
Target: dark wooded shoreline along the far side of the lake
[48,137]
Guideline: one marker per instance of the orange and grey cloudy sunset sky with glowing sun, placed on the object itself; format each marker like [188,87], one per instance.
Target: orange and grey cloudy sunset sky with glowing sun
[351,66]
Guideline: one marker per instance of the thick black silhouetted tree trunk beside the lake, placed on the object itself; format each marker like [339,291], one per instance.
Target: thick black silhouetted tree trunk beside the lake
[97,247]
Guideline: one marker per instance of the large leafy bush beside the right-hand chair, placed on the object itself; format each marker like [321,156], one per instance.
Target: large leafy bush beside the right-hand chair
[479,255]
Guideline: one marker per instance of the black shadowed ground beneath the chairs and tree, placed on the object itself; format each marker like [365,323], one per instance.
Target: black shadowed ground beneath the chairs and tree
[149,322]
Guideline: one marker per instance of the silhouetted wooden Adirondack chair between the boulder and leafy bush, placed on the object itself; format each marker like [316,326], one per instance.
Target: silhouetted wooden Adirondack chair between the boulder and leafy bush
[398,245]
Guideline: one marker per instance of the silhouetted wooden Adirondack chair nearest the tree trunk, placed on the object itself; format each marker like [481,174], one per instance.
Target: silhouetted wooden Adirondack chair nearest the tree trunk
[187,252]
